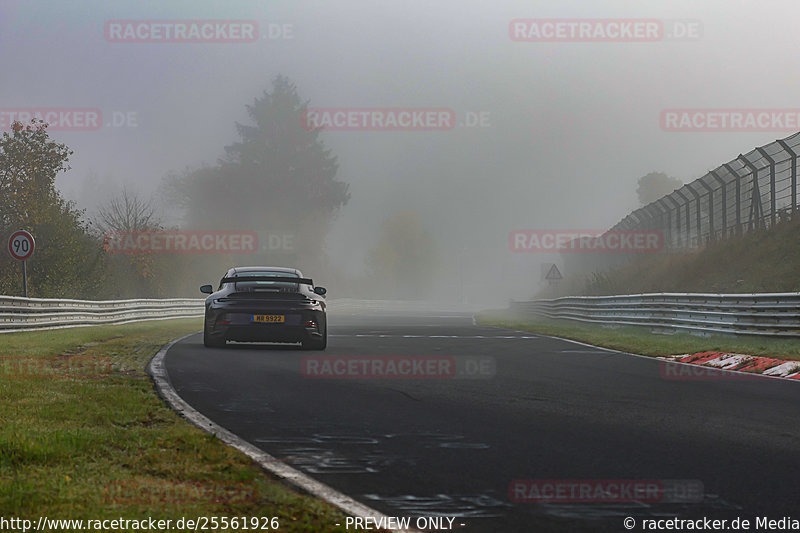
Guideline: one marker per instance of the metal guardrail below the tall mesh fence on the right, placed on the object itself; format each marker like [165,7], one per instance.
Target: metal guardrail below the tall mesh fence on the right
[772,314]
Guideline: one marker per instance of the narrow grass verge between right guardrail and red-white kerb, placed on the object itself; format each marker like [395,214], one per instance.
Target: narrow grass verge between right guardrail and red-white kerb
[641,341]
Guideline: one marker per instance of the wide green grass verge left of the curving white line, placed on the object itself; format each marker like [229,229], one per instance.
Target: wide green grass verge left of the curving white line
[83,435]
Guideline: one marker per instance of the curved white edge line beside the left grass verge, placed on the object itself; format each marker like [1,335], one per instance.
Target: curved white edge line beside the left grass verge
[157,371]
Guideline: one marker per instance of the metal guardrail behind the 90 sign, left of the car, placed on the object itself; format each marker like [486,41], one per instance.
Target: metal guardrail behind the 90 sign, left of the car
[25,314]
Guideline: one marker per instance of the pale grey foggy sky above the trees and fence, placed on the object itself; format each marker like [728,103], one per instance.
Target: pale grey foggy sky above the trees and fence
[568,127]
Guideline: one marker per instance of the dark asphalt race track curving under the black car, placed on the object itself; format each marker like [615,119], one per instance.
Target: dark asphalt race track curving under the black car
[519,407]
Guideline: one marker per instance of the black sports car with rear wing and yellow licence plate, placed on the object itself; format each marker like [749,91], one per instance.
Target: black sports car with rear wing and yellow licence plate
[266,304]
